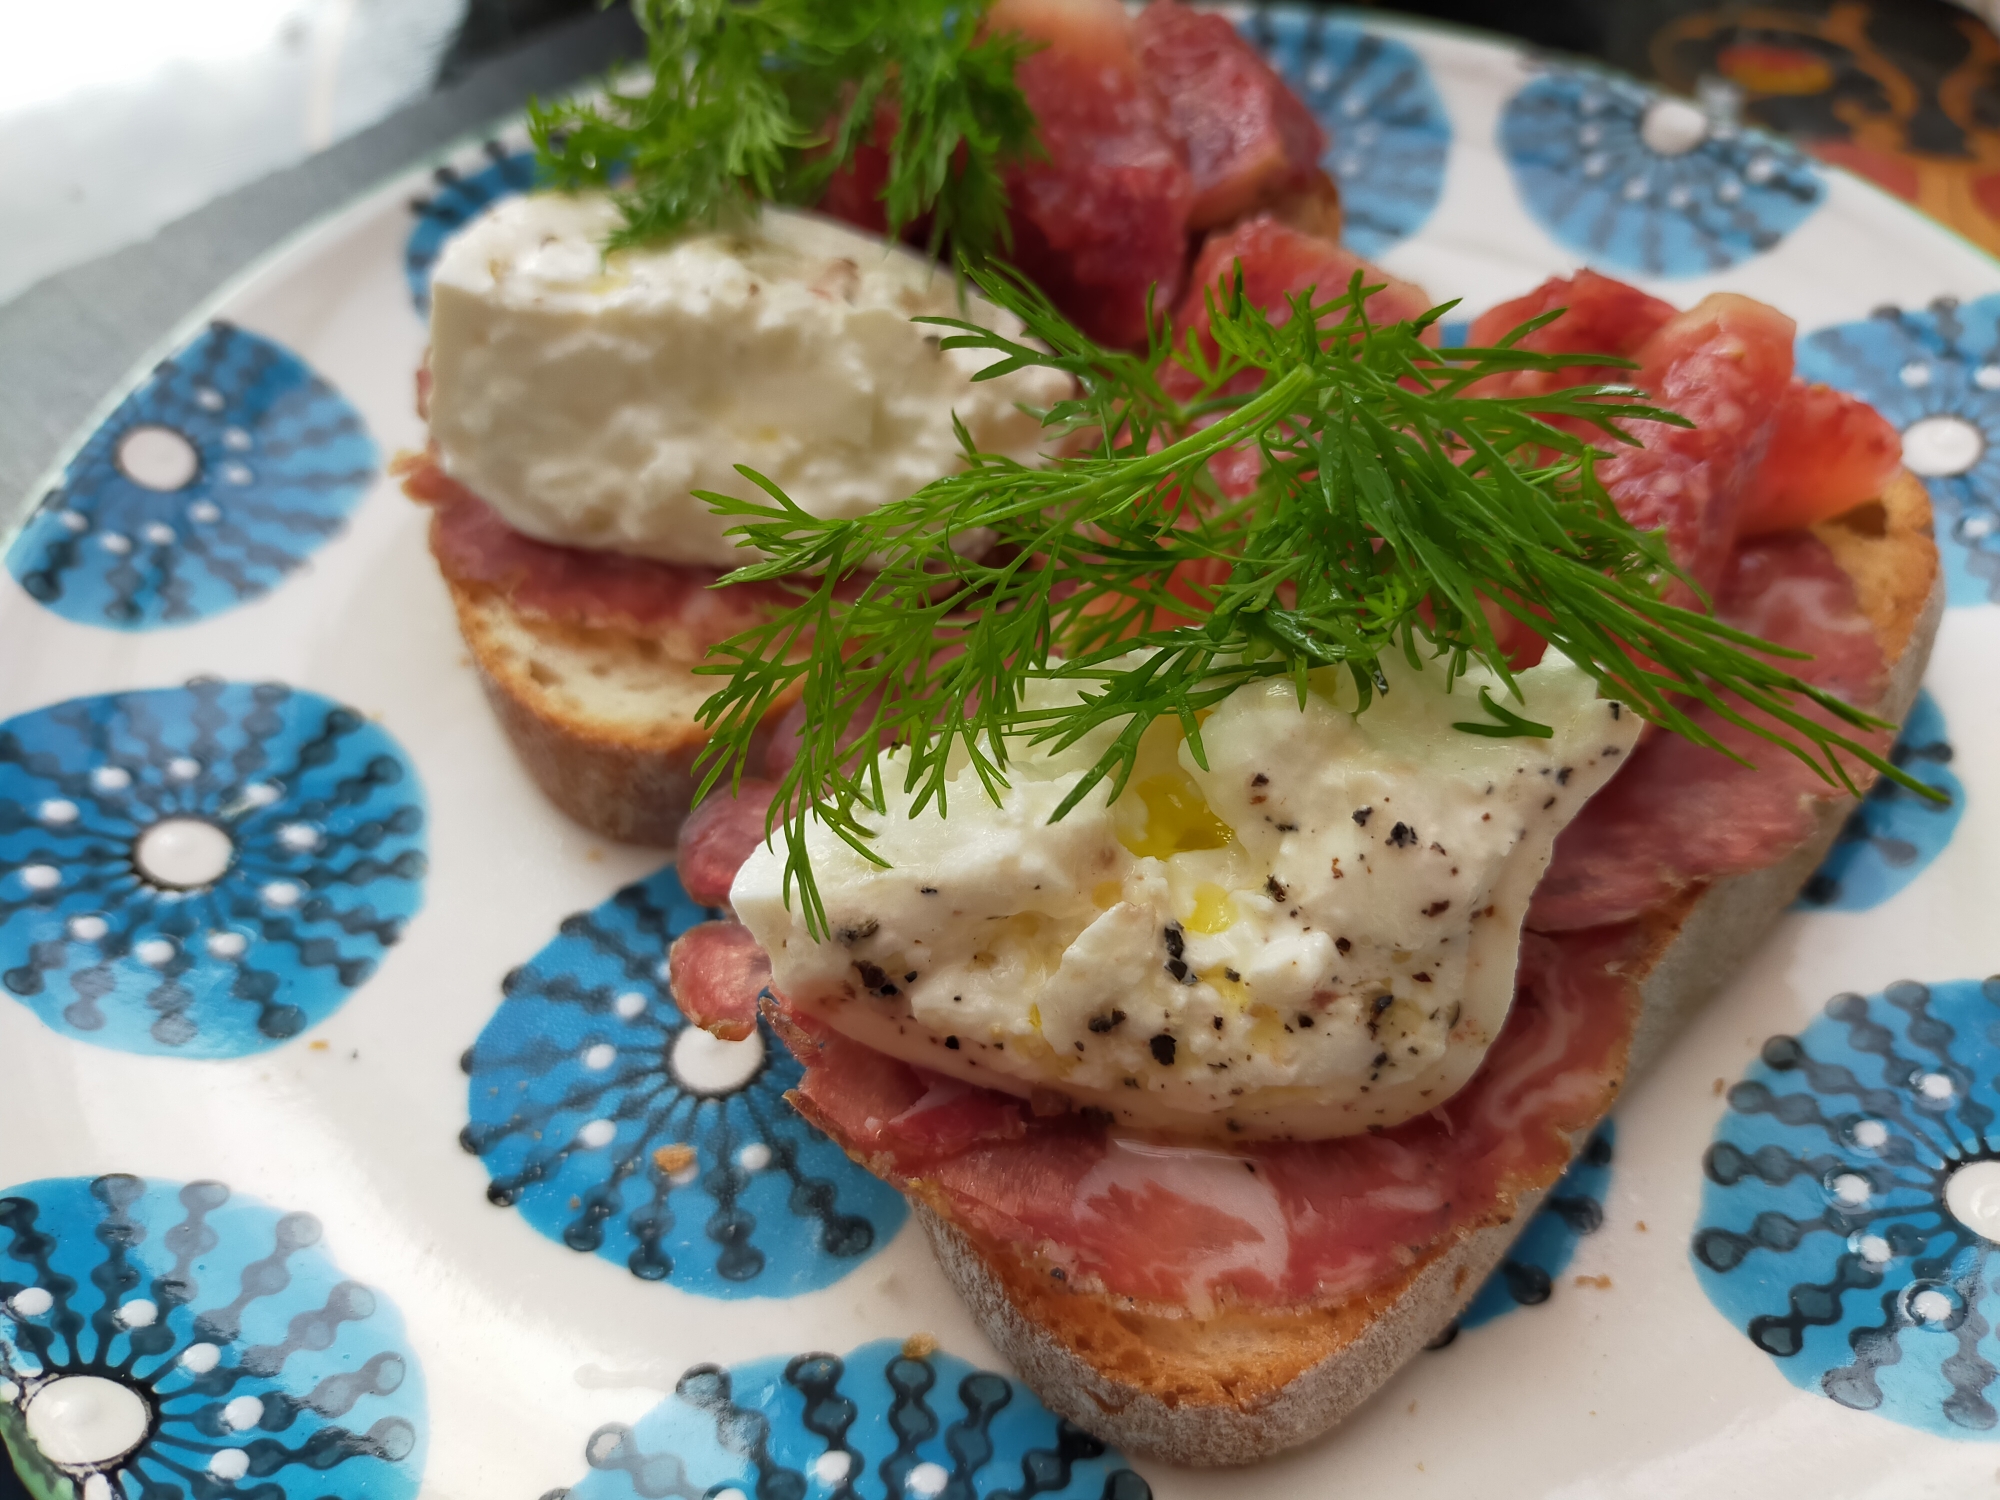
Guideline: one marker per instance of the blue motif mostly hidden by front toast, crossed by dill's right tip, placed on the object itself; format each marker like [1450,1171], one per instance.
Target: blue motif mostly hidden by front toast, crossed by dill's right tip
[1893,835]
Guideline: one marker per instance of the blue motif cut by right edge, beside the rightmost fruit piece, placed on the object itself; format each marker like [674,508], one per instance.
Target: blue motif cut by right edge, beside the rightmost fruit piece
[1937,377]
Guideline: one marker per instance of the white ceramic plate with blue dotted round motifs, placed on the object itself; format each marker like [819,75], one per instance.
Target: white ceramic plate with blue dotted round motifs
[351,1143]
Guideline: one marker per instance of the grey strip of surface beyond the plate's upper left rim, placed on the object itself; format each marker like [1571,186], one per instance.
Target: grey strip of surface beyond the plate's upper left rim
[69,341]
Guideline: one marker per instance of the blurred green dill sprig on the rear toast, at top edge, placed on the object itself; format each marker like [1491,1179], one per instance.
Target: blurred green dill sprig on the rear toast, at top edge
[767,99]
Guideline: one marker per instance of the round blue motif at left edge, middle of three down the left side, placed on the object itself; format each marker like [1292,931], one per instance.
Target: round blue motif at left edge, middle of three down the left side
[201,871]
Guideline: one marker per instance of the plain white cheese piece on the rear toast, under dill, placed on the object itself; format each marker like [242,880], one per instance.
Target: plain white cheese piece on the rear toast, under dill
[587,397]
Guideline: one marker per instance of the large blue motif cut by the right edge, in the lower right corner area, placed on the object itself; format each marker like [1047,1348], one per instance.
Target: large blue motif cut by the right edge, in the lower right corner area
[1851,1217]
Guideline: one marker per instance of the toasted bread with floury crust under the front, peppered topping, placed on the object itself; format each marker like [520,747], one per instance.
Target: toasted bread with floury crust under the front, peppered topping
[1245,1383]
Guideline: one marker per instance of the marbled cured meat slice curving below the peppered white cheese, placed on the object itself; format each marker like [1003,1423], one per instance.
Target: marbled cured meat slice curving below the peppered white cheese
[1275,1225]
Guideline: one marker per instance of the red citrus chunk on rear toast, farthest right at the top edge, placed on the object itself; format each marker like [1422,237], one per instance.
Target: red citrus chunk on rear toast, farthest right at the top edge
[1249,135]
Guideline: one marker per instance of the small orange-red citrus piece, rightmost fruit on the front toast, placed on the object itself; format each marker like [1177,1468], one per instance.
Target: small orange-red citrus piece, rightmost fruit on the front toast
[1827,453]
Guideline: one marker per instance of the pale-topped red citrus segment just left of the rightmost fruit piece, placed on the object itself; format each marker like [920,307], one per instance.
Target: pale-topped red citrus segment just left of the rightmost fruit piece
[1725,365]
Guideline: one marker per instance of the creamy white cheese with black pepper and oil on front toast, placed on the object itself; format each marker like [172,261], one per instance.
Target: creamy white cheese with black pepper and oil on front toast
[1313,937]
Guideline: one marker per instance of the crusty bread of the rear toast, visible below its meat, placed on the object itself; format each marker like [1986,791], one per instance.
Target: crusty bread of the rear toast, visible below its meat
[601,719]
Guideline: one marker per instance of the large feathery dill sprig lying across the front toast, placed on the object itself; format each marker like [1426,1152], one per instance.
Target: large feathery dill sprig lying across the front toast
[1393,507]
